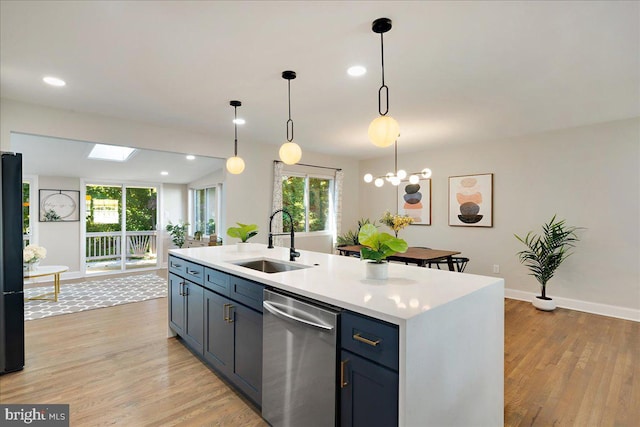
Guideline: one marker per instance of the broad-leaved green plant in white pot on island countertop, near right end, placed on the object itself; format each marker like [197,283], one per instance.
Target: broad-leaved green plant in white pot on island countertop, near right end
[377,247]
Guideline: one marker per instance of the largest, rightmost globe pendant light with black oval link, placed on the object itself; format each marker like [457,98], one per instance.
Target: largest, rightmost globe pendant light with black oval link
[384,130]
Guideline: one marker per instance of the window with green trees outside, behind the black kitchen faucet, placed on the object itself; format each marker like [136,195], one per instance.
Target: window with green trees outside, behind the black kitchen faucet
[309,201]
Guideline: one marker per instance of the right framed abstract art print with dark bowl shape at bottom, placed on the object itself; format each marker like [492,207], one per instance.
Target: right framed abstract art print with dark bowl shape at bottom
[471,200]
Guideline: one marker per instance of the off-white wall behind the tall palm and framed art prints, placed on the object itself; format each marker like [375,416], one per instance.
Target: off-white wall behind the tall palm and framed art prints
[588,176]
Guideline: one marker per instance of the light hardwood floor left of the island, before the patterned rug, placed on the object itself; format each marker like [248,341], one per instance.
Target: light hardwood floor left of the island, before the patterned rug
[116,366]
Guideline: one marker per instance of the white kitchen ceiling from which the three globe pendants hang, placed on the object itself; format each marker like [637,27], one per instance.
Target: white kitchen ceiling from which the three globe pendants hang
[458,72]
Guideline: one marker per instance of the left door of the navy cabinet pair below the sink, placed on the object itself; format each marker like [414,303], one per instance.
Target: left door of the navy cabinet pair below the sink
[218,345]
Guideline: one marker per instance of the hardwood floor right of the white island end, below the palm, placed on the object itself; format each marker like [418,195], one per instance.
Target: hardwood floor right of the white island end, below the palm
[568,368]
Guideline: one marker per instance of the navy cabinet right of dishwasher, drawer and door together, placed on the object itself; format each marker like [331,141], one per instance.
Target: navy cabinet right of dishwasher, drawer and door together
[368,372]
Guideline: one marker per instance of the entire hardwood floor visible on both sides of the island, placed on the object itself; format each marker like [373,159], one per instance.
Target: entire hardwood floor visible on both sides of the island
[115,366]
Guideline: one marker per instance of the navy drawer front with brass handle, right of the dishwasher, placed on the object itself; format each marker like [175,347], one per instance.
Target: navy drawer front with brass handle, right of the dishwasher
[370,338]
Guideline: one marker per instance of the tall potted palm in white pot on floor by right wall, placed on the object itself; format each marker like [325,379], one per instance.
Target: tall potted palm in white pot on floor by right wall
[545,253]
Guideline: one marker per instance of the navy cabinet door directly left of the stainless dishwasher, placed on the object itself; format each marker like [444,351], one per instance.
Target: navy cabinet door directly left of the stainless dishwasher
[248,351]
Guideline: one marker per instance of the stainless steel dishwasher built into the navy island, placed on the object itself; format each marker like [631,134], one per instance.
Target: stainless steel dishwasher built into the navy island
[299,345]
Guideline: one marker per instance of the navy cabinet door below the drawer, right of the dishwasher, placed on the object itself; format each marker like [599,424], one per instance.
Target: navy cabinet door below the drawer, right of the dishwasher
[369,393]
